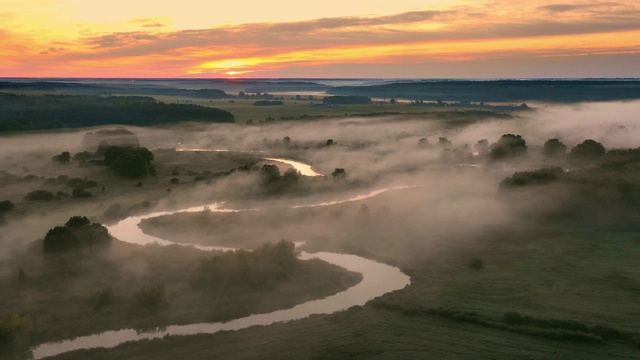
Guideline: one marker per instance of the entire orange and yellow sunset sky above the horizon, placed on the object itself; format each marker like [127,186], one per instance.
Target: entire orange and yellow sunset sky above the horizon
[327,39]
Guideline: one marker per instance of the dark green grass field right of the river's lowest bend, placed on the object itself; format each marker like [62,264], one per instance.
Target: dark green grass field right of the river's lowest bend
[555,271]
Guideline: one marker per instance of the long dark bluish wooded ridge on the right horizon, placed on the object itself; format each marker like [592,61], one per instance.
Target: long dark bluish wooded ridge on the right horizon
[560,91]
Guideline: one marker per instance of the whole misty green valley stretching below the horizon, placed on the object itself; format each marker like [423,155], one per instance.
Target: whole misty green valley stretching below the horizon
[516,227]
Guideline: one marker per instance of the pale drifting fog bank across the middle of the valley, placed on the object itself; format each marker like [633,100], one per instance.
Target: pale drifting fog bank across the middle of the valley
[376,153]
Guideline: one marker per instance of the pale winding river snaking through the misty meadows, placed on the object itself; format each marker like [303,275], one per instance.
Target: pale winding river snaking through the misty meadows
[377,279]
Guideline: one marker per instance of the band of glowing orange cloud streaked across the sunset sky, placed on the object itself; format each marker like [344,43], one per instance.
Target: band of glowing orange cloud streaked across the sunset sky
[486,31]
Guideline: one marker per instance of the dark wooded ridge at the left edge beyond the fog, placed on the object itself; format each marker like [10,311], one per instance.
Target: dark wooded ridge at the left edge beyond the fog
[36,112]
